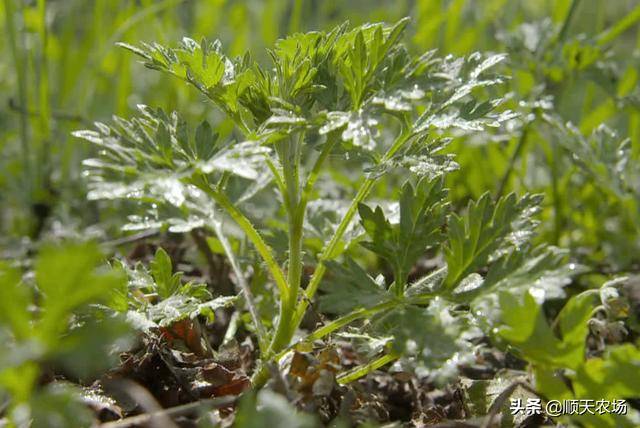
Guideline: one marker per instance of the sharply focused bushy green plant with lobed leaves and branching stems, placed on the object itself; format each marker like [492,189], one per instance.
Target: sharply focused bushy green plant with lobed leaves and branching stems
[358,93]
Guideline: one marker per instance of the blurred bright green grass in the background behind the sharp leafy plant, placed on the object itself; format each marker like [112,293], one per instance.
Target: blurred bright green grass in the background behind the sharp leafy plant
[60,70]
